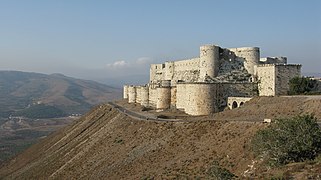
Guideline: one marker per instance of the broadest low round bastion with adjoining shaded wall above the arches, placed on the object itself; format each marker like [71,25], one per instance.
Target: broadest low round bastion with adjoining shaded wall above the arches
[206,98]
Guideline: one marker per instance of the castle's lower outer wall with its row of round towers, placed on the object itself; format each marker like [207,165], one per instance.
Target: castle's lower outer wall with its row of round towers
[194,98]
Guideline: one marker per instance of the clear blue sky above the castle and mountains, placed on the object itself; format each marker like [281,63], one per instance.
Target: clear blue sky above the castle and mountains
[115,39]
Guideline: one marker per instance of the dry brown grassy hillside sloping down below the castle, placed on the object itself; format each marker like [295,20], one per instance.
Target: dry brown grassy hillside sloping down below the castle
[107,143]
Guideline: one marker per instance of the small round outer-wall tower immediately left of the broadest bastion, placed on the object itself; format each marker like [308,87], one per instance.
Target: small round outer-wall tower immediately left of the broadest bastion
[163,98]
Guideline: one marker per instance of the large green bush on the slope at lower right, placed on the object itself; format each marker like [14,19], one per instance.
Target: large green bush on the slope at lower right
[289,140]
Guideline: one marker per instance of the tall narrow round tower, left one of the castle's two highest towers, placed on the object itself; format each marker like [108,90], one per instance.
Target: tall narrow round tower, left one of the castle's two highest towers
[209,61]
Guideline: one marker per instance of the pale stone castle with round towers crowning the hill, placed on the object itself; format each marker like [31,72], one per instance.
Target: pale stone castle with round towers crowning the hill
[218,78]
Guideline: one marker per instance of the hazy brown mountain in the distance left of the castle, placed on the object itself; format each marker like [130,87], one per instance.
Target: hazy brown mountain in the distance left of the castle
[24,93]
